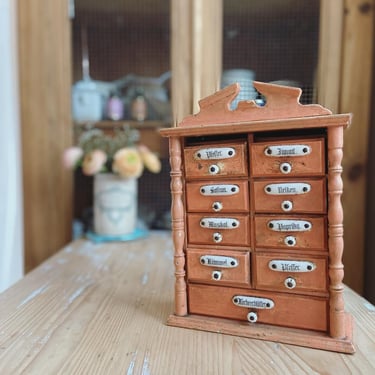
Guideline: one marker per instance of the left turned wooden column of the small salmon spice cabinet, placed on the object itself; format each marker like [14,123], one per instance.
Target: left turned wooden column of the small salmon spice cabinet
[178,226]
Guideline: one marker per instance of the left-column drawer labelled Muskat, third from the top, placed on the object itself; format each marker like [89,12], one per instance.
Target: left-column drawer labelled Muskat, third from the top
[218,229]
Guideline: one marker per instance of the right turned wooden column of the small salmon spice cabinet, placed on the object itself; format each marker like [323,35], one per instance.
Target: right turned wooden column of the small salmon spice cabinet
[335,233]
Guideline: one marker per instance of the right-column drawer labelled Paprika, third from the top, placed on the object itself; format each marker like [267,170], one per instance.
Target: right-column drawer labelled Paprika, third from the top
[290,232]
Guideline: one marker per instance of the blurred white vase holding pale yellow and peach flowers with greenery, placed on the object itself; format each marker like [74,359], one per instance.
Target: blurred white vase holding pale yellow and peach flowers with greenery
[116,161]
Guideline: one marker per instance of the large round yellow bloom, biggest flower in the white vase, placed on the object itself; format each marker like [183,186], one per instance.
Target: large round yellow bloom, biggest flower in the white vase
[127,162]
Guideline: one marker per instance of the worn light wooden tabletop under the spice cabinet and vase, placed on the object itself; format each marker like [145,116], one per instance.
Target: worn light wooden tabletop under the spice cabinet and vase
[102,308]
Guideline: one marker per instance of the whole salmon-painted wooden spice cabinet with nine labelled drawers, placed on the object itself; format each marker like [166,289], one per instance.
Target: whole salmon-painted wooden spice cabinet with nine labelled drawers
[257,220]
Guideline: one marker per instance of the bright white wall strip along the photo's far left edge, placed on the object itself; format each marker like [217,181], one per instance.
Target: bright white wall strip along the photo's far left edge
[11,215]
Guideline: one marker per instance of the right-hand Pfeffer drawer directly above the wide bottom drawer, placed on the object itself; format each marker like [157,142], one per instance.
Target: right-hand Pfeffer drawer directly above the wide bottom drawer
[293,274]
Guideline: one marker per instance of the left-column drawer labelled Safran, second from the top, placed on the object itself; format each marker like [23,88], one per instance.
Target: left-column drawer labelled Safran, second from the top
[218,196]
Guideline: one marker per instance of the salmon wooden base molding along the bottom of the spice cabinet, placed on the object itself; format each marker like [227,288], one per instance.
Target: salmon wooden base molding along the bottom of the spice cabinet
[310,339]
